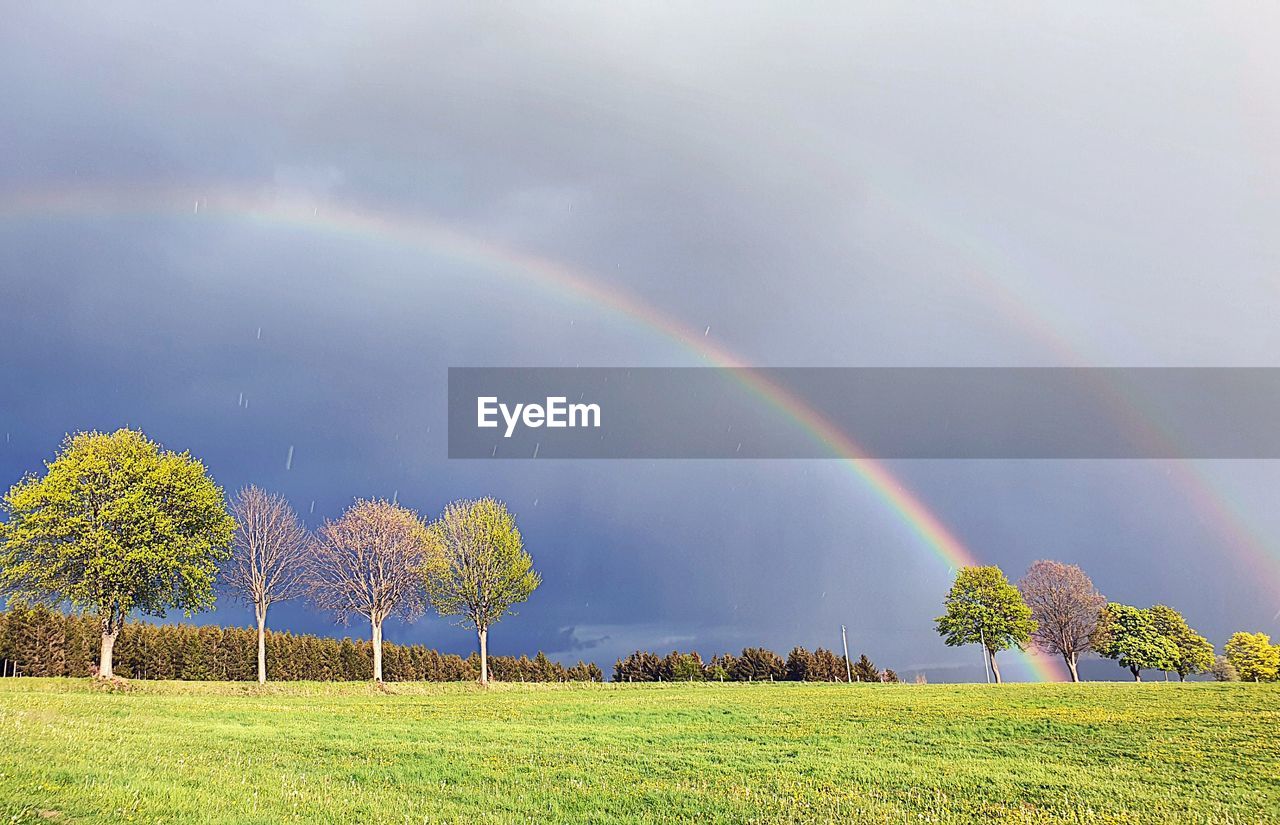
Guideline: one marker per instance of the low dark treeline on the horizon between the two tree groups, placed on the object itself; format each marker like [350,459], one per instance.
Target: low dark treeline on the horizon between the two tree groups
[755,664]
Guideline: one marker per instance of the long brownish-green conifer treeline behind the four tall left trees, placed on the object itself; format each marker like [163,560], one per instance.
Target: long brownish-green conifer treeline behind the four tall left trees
[44,643]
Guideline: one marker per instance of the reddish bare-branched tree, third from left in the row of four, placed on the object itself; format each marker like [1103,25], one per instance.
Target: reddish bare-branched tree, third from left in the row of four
[368,563]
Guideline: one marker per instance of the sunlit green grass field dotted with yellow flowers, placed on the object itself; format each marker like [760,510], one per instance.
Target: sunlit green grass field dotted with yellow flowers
[217,753]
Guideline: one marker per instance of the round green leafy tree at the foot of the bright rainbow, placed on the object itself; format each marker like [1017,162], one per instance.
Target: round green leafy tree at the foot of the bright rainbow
[984,608]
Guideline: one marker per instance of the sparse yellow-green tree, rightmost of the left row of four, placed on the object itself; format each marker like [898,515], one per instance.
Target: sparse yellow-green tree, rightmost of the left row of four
[478,569]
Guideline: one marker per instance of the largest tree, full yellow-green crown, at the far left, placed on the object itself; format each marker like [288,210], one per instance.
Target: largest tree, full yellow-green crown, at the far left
[116,526]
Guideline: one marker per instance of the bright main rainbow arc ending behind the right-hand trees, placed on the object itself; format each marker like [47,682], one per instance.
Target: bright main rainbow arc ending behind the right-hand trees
[437,239]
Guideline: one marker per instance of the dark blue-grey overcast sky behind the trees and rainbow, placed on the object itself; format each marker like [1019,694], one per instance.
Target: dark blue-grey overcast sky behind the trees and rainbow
[898,185]
